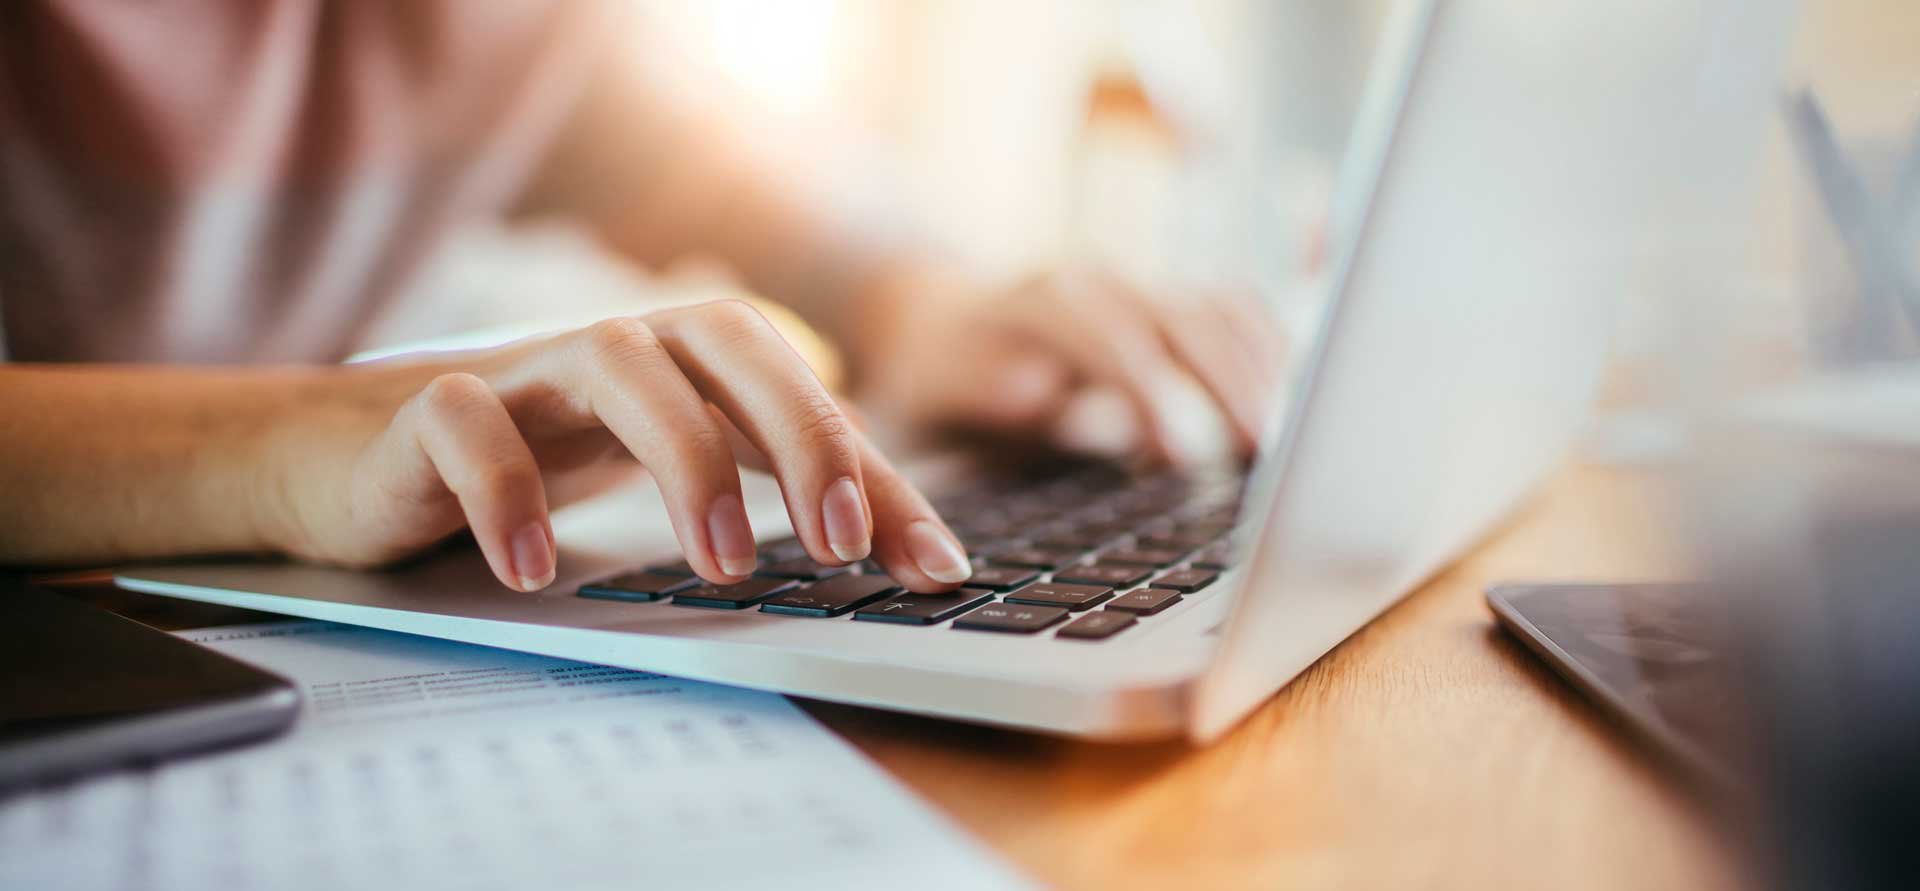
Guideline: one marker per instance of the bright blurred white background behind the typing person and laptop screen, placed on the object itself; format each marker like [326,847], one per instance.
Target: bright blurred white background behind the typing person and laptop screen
[1126,133]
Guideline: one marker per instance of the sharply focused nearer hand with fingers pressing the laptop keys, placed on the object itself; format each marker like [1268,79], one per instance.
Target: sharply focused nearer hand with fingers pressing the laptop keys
[414,452]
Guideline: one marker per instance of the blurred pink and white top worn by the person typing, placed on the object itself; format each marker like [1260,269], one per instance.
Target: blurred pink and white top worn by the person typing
[239,181]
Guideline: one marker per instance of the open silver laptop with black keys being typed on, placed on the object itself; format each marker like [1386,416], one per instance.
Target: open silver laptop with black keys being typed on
[1491,208]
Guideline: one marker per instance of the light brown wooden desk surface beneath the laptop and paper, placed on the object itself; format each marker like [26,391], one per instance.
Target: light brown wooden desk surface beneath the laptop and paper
[1426,752]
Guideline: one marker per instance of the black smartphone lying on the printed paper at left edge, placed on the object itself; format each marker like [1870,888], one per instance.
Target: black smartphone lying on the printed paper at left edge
[85,690]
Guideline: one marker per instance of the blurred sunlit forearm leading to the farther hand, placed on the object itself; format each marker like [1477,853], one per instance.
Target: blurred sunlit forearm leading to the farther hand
[660,164]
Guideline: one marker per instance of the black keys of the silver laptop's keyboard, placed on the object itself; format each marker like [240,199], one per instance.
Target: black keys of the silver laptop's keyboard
[1076,554]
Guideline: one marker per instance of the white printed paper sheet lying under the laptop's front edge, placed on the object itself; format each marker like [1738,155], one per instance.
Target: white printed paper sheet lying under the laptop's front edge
[429,765]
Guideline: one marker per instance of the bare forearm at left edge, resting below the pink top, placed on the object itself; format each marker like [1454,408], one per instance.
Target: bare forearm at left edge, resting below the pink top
[110,464]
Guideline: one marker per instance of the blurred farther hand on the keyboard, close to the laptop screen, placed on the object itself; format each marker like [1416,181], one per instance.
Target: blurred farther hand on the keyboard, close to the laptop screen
[938,354]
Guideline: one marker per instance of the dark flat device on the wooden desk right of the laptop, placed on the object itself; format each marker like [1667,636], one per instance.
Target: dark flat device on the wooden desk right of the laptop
[1656,656]
